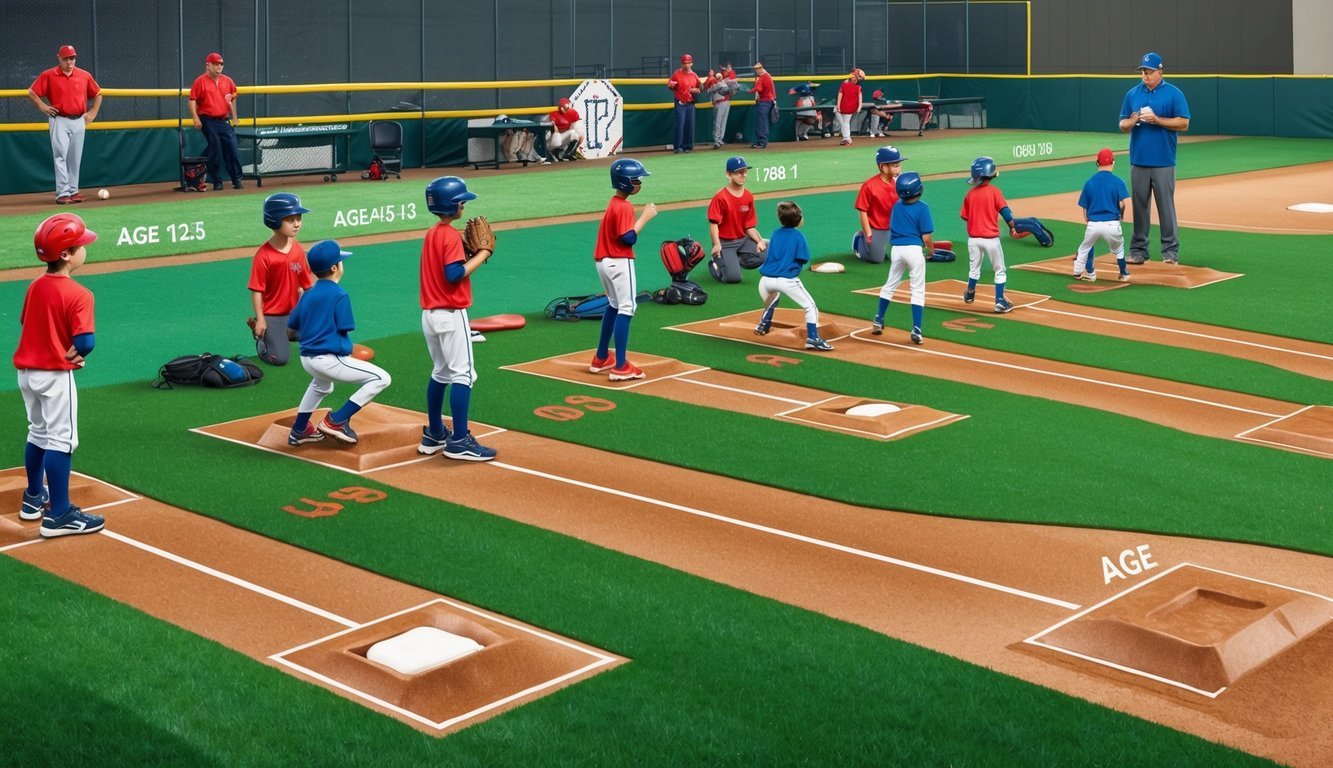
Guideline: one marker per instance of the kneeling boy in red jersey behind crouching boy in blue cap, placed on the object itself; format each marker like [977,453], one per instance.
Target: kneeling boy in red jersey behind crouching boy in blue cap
[279,274]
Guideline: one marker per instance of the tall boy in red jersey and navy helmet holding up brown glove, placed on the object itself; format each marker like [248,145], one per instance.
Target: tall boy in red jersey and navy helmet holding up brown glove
[446,297]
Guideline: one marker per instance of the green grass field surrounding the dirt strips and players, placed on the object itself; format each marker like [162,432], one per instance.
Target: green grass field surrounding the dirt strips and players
[718,677]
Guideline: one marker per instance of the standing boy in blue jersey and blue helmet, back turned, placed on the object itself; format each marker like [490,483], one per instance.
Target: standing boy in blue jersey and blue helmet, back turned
[910,241]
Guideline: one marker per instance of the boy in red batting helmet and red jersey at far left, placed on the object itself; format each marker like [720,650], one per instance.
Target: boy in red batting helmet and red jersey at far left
[58,334]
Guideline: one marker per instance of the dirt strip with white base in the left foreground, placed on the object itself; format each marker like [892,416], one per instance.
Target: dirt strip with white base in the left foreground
[311,617]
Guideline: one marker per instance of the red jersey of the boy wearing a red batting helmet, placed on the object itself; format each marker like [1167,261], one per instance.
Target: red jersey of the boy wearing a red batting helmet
[55,311]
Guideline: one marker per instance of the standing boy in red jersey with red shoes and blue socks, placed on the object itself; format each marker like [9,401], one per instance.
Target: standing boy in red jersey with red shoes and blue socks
[615,257]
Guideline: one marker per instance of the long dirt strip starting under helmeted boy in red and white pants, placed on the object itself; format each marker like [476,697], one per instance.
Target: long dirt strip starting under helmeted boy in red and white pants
[1299,357]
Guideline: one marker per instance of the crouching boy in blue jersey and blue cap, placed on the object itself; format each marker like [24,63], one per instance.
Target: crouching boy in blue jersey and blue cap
[323,319]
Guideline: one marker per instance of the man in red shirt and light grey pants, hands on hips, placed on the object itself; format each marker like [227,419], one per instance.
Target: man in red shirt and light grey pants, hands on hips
[62,94]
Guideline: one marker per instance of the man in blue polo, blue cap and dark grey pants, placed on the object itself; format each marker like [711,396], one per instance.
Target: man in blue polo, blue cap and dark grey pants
[1154,114]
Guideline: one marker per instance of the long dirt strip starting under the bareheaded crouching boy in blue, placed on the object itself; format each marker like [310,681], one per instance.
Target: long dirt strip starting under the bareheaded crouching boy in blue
[1187,407]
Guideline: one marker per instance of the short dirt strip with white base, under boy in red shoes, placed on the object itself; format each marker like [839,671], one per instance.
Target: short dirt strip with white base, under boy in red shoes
[702,386]
